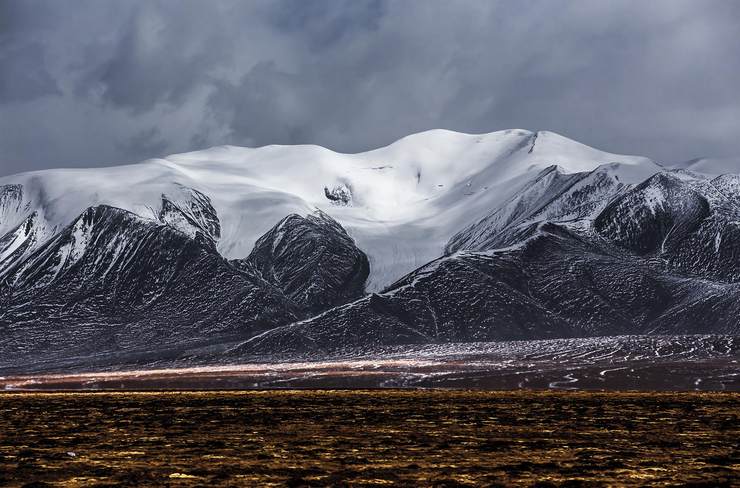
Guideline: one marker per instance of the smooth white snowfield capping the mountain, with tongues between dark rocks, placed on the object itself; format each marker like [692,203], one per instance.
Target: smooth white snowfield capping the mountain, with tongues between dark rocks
[408,198]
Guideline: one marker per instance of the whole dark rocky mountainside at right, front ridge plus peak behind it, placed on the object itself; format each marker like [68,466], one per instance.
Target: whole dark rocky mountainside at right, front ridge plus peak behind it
[661,257]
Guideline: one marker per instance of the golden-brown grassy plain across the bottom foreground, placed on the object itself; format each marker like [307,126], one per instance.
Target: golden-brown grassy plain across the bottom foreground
[368,438]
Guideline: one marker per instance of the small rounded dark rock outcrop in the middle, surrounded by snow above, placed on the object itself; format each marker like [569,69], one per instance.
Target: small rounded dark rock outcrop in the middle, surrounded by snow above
[312,260]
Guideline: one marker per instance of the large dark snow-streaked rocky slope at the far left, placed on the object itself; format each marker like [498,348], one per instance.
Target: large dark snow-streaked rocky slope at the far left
[114,283]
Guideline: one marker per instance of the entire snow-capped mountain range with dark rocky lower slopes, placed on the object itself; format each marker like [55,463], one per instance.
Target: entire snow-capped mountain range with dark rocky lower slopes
[440,237]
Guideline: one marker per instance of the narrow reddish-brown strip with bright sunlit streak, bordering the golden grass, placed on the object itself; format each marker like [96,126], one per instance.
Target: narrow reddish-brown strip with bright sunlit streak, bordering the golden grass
[480,372]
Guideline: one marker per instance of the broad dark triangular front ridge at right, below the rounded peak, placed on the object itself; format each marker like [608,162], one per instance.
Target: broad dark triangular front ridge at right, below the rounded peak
[556,285]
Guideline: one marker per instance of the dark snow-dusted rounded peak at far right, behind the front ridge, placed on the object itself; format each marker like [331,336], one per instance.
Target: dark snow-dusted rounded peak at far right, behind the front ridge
[692,224]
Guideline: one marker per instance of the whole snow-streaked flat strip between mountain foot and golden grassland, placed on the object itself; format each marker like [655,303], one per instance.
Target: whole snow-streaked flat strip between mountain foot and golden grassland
[650,363]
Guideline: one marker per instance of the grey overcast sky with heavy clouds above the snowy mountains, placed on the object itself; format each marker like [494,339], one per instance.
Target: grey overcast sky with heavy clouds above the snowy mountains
[90,83]
